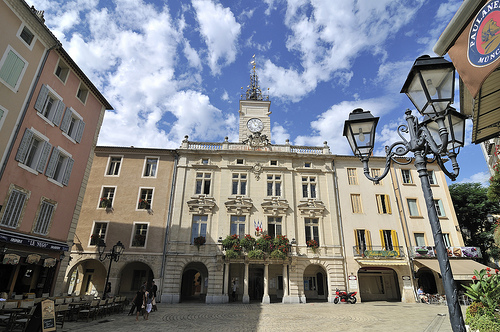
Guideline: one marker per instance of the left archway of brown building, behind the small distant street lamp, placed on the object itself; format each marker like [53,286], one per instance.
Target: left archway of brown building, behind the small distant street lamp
[87,278]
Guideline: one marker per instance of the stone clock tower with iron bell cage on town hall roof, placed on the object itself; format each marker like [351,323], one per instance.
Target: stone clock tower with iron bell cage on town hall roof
[255,123]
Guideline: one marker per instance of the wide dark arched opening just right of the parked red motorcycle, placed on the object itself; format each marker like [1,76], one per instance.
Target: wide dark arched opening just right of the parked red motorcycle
[378,284]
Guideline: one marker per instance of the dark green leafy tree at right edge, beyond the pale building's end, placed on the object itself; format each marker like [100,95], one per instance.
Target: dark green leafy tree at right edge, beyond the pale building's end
[472,207]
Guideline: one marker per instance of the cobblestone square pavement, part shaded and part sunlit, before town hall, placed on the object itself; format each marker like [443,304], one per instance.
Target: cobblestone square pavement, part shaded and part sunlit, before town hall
[370,316]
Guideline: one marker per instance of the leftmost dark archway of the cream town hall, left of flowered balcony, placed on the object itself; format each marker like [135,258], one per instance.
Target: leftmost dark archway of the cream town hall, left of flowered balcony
[194,282]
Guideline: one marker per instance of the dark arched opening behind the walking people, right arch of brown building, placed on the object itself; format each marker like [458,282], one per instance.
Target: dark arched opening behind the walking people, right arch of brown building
[132,277]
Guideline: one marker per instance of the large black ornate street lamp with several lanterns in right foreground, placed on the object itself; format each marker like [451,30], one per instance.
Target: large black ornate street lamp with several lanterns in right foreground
[430,86]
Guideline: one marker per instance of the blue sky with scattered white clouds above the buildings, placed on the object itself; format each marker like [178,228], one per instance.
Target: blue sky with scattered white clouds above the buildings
[176,68]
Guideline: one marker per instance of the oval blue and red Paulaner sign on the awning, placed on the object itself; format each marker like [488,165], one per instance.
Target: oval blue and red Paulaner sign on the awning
[484,36]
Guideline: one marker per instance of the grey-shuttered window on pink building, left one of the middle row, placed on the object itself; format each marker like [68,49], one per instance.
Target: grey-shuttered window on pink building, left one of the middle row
[33,150]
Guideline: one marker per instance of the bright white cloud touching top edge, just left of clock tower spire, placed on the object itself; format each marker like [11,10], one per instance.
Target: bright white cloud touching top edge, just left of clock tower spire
[220,30]
